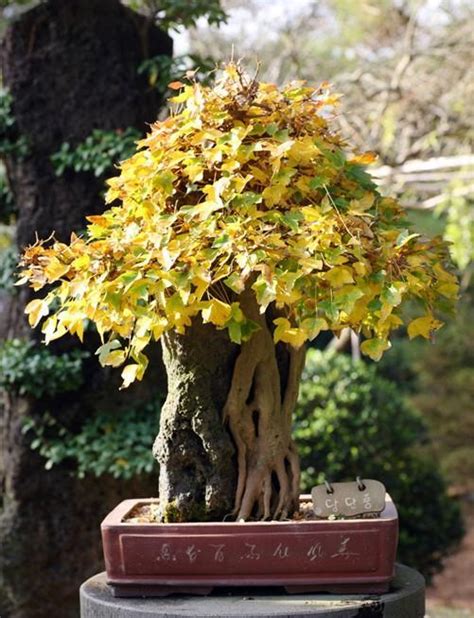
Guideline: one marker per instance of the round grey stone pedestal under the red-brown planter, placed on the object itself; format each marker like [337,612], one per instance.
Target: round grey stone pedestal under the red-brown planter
[406,599]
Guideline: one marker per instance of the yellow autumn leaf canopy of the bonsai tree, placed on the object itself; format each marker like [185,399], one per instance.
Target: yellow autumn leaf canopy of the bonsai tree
[243,185]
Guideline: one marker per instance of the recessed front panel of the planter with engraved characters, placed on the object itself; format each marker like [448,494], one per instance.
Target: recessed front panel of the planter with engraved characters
[343,551]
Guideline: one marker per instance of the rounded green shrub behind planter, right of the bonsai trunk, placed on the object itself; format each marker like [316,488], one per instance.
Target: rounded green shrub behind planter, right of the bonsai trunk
[349,422]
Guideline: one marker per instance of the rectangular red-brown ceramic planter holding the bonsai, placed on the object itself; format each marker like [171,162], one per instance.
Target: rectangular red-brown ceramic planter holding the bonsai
[351,555]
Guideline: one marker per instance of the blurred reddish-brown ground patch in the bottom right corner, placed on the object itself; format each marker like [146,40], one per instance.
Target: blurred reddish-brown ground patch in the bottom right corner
[454,587]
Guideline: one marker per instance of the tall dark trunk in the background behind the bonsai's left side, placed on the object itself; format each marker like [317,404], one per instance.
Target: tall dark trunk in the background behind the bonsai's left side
[71,68]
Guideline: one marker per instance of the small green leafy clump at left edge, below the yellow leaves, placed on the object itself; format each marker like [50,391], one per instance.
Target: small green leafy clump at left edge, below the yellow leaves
[29,369]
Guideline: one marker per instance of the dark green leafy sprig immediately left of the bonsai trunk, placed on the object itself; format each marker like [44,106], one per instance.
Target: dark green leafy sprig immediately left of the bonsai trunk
[117,443]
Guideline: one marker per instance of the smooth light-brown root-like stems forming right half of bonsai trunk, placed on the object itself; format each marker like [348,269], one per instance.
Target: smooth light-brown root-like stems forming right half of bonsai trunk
[260,422]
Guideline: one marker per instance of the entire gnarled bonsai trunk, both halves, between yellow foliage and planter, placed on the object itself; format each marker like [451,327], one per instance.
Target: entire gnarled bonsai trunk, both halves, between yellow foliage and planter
[225,443]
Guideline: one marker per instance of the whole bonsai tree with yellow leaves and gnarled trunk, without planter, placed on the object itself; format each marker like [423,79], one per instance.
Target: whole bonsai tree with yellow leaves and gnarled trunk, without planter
[241,228]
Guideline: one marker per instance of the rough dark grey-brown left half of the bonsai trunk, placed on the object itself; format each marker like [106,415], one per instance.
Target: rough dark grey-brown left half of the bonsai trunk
[194,449]
